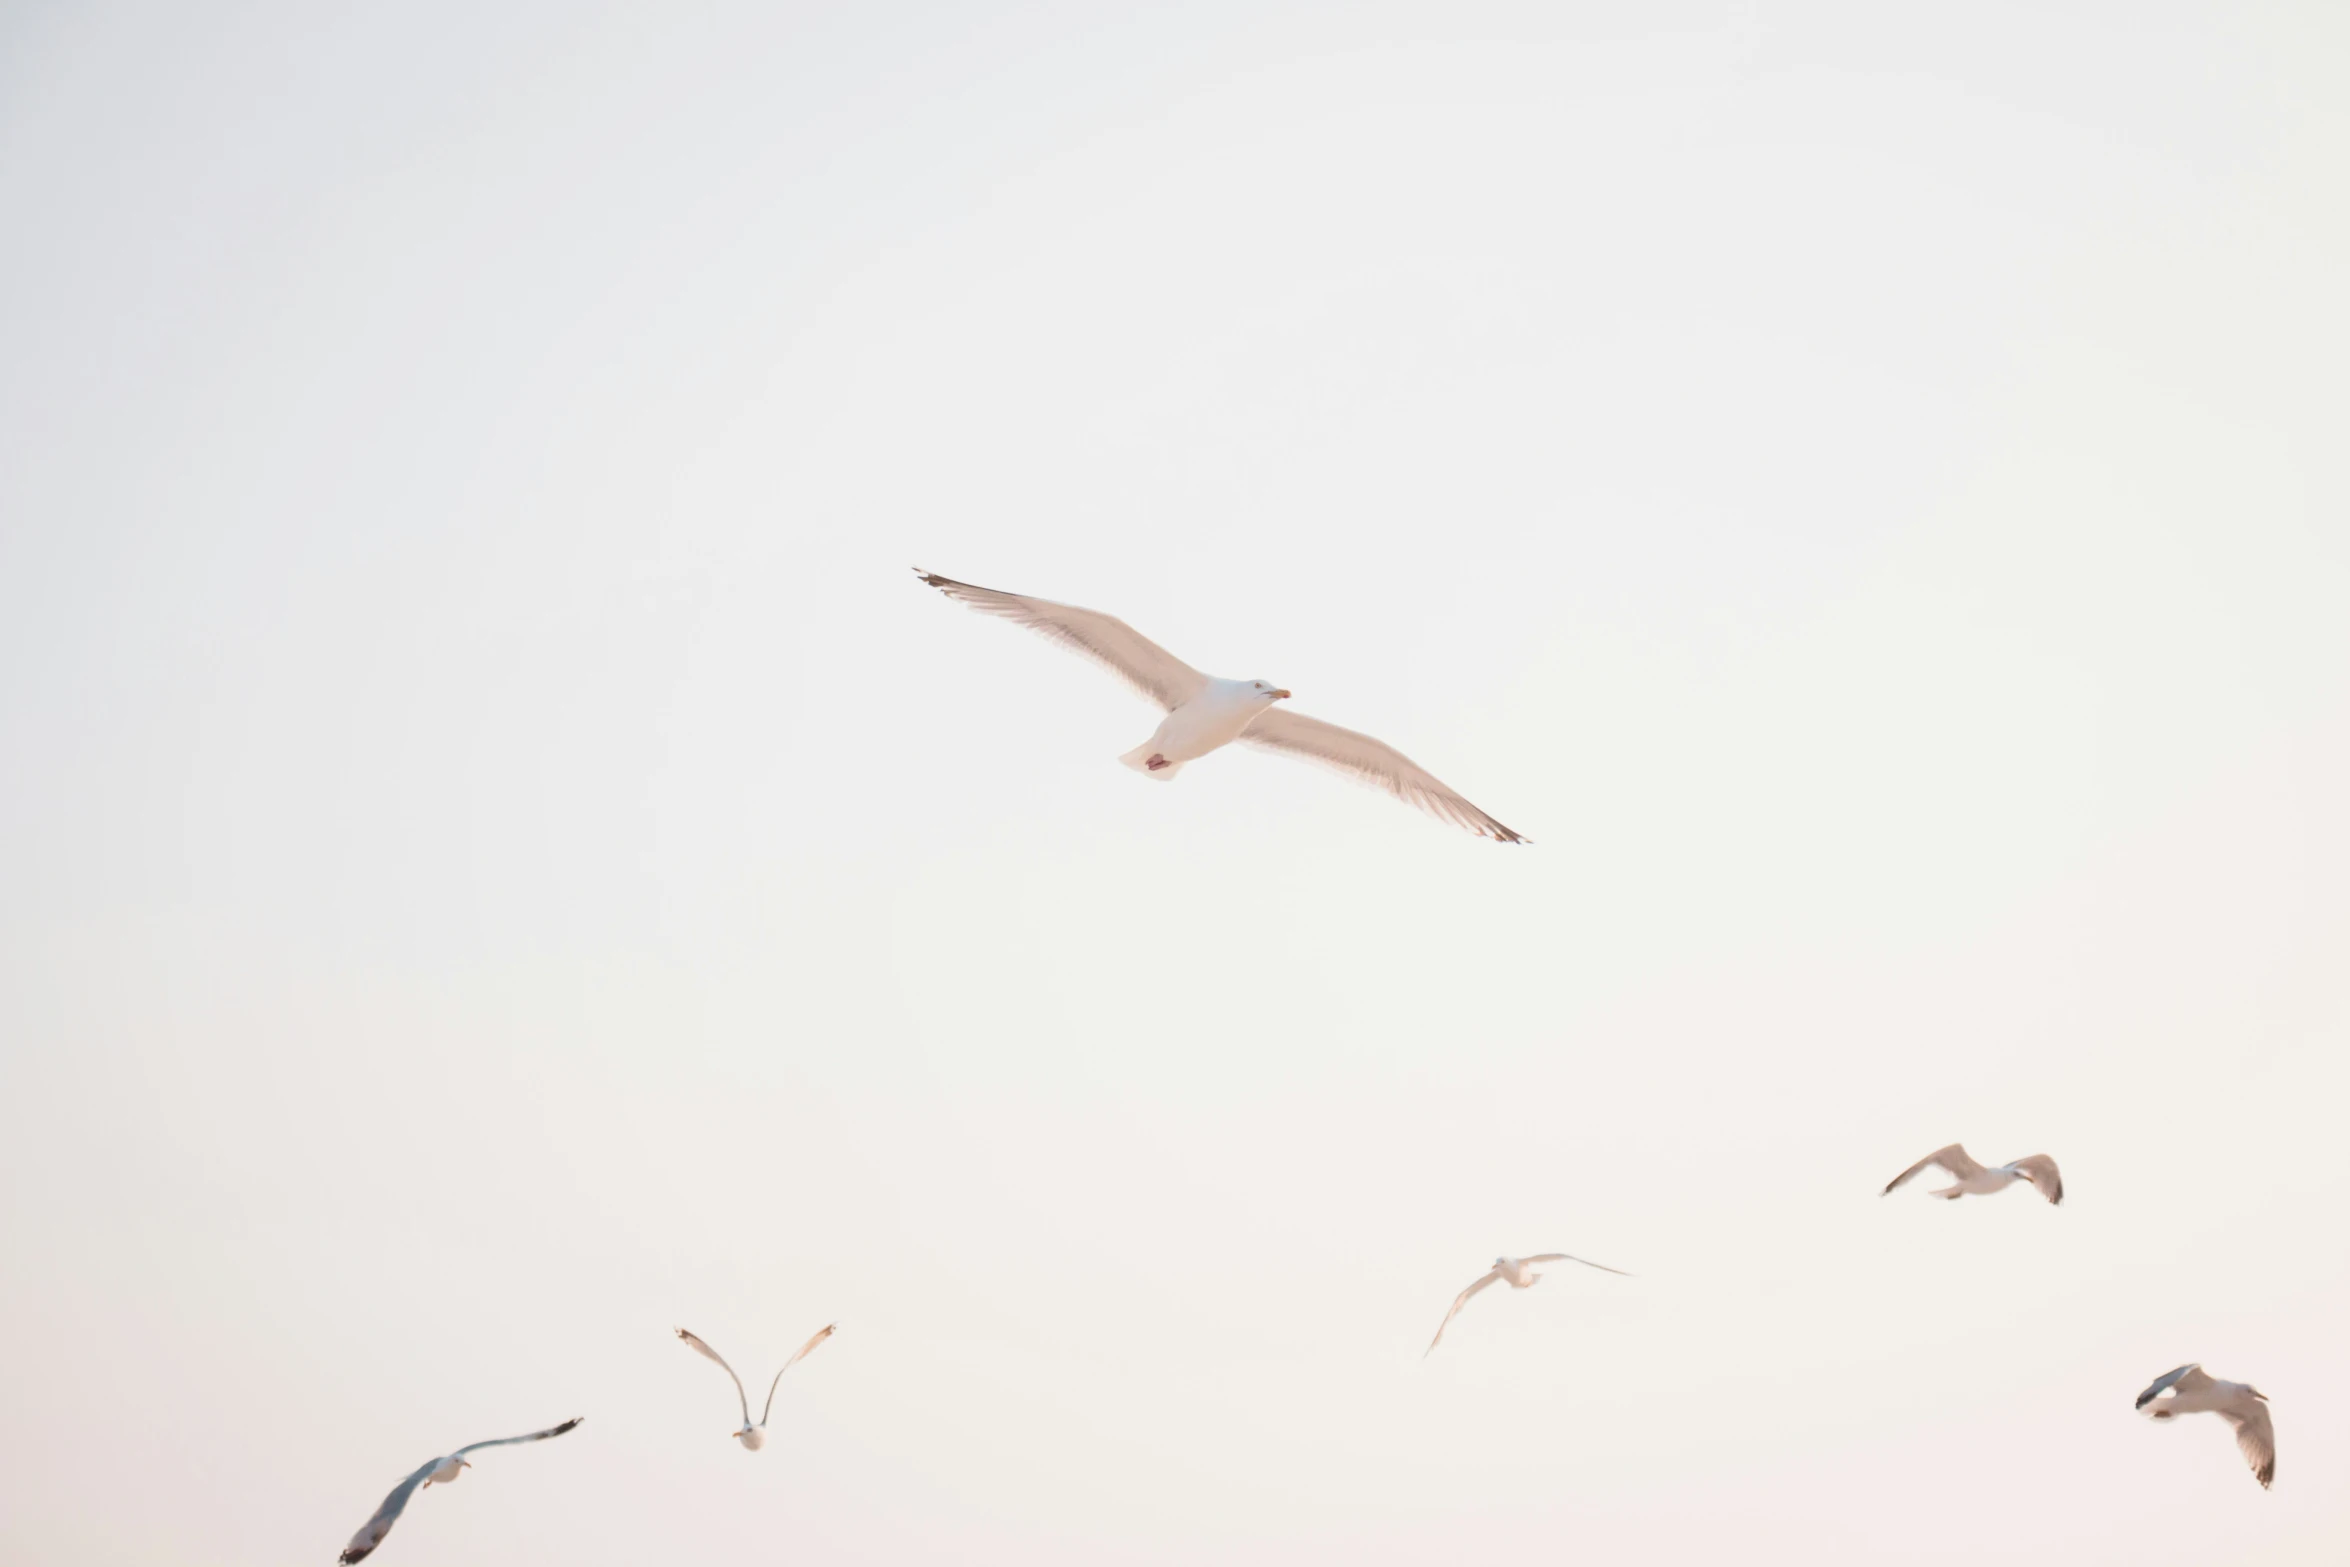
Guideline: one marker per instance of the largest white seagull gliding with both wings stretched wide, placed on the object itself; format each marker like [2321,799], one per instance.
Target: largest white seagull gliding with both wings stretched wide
[1207,715]
